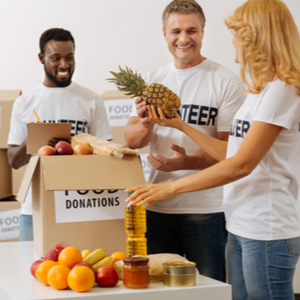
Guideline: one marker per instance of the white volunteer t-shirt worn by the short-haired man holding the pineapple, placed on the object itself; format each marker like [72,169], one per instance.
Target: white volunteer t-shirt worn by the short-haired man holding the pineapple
[209,99]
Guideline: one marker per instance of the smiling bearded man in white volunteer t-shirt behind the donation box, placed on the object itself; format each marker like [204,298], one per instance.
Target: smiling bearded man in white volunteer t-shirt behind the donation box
[56,100]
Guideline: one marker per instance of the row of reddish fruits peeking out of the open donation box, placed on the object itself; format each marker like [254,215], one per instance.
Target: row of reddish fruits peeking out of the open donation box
[64,148]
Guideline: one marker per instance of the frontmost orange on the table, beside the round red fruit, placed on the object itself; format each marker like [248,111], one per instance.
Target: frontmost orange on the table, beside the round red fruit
[81,279]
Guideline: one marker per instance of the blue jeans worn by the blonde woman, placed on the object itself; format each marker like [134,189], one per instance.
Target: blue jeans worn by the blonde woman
[261,269]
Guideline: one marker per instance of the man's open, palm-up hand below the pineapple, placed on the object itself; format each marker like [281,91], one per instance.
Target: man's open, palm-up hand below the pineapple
[177,162]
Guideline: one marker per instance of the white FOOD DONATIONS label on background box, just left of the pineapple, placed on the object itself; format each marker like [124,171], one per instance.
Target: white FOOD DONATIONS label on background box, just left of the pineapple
[118,111]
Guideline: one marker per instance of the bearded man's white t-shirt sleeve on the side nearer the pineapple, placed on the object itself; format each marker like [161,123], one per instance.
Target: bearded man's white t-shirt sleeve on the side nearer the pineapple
[99,125]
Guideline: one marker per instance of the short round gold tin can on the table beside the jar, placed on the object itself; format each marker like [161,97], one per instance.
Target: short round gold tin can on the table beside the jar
[179,274]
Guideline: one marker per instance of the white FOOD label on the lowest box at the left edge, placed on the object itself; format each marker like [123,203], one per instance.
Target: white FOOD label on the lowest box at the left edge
[9,224]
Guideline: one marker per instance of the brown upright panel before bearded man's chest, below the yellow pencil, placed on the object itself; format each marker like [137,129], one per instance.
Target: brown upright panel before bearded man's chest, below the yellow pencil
[40,133]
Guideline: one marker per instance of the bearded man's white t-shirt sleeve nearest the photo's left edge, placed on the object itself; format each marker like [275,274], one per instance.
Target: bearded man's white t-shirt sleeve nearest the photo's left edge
[18,128]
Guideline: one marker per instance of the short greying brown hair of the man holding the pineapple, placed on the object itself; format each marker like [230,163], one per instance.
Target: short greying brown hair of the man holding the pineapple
[184,7]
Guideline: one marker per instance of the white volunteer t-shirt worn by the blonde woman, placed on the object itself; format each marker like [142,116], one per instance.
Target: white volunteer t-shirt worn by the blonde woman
[262,205]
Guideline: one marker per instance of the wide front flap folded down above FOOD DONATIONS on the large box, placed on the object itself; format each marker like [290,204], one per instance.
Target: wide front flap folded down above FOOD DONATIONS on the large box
[90,172]
